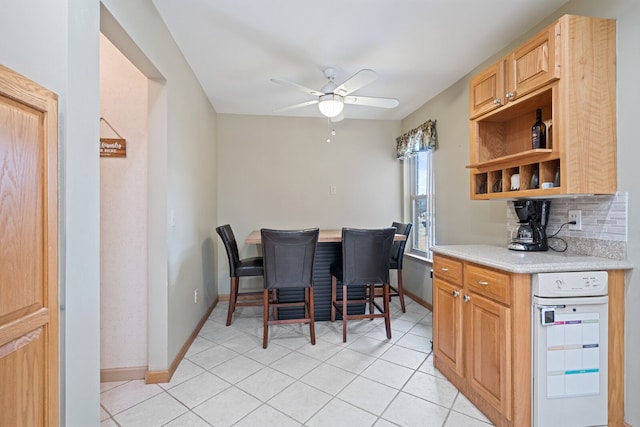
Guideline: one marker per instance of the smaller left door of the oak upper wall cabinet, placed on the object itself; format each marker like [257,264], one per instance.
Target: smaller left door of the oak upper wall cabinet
[486,90]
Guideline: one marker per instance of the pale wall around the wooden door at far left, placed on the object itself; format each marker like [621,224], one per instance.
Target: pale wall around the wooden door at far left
[55,43]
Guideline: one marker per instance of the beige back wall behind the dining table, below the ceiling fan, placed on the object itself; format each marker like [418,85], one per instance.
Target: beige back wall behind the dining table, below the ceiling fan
[276,172]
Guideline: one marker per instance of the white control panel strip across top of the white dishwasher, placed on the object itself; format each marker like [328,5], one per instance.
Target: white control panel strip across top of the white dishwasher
[569,284]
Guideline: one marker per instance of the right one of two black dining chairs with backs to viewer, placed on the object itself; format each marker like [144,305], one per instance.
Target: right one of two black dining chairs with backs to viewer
[365,264]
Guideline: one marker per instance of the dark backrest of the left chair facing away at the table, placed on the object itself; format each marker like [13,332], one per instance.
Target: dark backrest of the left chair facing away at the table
[288,257]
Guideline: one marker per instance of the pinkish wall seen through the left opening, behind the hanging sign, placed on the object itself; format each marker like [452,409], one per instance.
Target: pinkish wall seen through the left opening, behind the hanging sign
[123,214]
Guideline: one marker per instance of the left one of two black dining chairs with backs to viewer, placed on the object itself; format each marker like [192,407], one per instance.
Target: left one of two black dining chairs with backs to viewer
[289,256]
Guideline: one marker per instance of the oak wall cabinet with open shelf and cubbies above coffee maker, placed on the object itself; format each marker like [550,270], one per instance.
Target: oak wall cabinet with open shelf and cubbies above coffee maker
[568,71]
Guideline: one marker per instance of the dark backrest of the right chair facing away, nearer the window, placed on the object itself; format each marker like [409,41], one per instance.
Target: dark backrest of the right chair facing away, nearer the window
[365,255]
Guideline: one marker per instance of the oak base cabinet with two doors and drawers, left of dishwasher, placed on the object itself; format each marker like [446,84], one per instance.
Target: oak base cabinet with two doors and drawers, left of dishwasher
[473,336]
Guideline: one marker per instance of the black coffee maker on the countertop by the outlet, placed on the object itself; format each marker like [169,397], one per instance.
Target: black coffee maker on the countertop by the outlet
[531,233]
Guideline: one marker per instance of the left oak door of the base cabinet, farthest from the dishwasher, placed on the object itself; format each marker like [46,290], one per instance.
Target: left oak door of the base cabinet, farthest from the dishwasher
[447,323]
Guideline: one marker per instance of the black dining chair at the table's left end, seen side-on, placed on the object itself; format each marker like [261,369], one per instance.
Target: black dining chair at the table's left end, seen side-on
[239,268]
